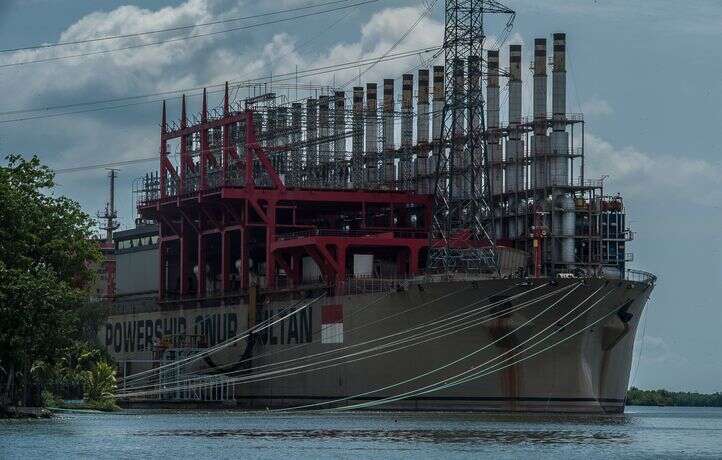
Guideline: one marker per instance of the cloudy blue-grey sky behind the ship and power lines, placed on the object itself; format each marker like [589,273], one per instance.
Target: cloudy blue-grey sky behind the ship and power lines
[645,74]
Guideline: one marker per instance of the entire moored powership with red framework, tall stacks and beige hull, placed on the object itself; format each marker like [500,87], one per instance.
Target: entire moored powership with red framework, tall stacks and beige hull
[375,200]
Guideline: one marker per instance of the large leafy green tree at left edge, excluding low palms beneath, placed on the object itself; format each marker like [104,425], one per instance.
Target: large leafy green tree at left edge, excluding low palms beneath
[46,249]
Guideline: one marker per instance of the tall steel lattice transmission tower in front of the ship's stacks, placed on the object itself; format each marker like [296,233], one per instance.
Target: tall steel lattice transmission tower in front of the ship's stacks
[462,237]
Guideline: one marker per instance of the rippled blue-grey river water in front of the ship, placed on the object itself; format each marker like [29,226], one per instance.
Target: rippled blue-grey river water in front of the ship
[642,432]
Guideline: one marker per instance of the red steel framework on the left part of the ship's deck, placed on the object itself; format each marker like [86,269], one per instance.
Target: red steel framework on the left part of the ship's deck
[209,224]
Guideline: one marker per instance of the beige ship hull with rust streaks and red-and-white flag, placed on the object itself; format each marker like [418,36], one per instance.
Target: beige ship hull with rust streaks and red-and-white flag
[490,345]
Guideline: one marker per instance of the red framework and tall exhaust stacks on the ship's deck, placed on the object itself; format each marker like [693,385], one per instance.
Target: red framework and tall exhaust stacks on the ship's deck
[267,190]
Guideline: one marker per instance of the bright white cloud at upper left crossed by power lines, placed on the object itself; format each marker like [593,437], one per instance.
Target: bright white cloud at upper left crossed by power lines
[117,73]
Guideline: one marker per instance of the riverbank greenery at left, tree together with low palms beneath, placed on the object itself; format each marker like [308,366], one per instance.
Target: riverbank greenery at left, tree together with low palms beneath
[47,253]
